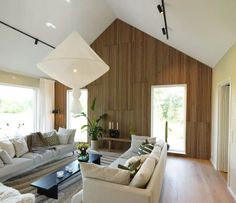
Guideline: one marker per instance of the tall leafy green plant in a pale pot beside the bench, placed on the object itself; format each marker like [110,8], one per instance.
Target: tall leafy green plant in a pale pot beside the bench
[93,127]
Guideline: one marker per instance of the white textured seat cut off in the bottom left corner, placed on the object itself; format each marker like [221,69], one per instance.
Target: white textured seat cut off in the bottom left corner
[10,195]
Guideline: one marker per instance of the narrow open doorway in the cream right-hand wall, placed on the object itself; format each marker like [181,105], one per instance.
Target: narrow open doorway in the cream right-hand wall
[224,129]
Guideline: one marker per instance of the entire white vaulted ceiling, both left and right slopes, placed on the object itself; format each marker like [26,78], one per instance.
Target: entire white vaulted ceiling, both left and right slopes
[203,29]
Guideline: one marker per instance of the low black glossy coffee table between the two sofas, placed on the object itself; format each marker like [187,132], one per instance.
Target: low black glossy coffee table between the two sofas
[48,185]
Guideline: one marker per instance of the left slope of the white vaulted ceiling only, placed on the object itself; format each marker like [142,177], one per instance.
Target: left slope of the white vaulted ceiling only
[19,54]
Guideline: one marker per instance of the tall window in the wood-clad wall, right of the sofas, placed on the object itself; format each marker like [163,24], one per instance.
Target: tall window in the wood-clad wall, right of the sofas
[169,115]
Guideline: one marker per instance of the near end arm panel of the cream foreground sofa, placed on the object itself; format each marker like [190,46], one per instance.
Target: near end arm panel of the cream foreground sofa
[96,191]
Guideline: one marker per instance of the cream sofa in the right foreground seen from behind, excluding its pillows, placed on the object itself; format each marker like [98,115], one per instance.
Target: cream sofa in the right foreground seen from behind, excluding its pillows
[97,191]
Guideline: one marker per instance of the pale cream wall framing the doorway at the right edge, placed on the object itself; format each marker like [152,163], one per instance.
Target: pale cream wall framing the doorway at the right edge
[225,70]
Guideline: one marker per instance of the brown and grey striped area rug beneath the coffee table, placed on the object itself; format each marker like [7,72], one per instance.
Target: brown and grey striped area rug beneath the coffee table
[66,190]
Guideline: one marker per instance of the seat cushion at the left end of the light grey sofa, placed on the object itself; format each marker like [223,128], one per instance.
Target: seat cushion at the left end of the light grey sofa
[19,164]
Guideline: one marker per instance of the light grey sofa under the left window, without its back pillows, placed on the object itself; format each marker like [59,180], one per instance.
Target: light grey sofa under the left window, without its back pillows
[31,160]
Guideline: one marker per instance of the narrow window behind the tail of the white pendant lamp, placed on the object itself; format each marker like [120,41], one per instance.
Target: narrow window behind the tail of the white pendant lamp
[77,122]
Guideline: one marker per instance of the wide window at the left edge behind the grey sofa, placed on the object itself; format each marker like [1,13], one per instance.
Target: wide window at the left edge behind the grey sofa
[17,110]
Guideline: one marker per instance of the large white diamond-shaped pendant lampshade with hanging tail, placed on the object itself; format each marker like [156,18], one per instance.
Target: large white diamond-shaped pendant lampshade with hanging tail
[74,64]
